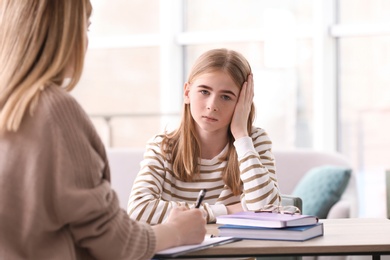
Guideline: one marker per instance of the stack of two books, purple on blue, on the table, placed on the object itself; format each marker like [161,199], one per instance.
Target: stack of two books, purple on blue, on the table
[269,226]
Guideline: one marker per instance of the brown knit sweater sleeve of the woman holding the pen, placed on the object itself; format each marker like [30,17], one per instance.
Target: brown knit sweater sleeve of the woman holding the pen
[83,200]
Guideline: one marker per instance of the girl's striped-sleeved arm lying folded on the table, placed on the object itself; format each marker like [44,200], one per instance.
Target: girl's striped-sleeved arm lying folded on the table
[154,193]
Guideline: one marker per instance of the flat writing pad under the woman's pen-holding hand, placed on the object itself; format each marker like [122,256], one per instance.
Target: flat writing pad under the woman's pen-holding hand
[180,250]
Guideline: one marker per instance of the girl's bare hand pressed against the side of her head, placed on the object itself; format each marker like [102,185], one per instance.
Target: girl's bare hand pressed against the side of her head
[238,126]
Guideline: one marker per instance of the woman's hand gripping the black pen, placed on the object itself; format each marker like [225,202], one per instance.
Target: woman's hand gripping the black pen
[183,227]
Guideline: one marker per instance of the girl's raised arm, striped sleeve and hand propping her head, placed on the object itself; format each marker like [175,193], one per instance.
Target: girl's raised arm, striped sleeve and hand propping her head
[256,161]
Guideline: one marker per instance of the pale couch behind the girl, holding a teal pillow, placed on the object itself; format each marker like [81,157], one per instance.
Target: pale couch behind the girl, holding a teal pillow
[291,166]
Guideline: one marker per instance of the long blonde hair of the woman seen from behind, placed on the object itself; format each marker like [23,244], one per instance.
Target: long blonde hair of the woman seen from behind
[40,40]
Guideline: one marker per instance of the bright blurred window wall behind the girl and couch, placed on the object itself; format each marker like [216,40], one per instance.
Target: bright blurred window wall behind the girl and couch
[321,71]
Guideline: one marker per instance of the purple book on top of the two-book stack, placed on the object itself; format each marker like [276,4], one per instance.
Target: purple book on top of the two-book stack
[266,219]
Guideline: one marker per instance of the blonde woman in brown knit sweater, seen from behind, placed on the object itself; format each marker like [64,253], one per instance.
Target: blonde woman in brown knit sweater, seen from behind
[55,195]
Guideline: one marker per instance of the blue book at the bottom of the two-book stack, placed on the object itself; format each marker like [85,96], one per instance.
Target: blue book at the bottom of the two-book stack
[300,233]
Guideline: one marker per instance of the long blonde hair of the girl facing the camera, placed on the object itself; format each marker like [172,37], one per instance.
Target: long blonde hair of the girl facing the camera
[183,145]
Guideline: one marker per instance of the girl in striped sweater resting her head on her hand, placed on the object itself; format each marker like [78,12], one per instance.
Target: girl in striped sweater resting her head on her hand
[216,147]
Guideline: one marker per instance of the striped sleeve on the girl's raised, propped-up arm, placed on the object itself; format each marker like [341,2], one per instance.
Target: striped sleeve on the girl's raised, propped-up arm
[257,170]
